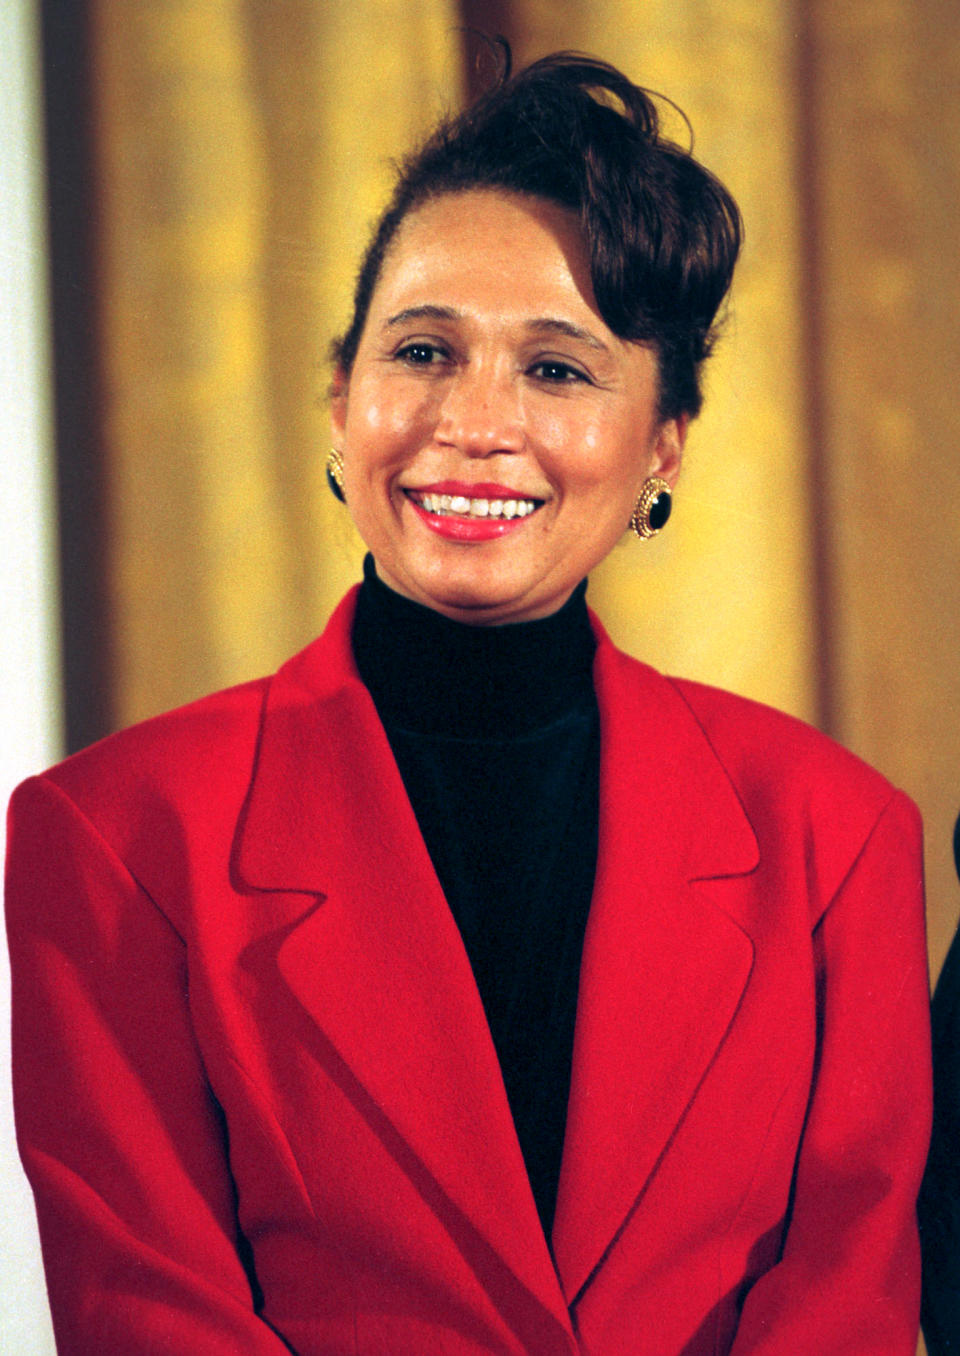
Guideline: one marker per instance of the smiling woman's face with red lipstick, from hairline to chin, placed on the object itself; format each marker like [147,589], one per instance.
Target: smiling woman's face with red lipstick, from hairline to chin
[496,433]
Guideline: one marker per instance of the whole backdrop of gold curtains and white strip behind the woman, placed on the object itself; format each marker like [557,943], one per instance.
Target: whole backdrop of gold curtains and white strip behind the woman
[186,189]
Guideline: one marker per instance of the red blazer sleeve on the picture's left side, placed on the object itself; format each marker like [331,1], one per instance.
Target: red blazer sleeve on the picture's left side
[117,1128]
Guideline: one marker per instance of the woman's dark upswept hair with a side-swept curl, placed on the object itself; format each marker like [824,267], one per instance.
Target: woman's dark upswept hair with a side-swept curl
[662,233]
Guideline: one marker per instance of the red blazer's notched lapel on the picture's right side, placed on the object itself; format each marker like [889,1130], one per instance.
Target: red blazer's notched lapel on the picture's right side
[664,968]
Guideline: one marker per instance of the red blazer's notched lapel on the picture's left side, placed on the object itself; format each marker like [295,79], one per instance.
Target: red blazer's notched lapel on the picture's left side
[379,962]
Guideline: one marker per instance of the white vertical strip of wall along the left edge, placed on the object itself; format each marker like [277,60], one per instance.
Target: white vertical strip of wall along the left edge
[29,622]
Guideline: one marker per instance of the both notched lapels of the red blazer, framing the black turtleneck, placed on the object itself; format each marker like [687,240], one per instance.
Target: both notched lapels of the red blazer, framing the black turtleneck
[662,976]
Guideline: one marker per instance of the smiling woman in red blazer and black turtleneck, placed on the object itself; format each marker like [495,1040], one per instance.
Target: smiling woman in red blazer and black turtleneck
[468,986]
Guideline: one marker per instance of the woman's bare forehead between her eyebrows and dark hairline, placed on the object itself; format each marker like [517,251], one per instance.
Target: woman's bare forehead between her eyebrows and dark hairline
[524,250]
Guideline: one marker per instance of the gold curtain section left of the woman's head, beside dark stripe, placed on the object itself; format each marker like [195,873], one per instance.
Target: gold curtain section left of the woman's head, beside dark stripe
[243,151]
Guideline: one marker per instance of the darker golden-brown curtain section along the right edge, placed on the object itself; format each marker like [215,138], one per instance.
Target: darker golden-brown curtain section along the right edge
[886,169]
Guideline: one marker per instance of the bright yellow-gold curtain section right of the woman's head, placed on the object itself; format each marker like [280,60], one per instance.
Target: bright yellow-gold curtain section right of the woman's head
[726,595]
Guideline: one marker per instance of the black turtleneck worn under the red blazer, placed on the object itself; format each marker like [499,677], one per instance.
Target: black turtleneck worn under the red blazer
[497,736]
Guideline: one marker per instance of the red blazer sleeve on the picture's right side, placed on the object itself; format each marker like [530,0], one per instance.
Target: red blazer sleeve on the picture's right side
[849,1274]
